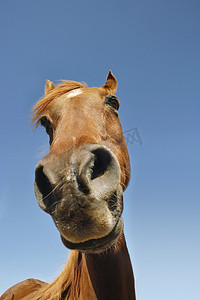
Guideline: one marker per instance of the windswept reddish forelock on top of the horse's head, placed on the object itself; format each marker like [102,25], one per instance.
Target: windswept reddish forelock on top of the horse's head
[62,88]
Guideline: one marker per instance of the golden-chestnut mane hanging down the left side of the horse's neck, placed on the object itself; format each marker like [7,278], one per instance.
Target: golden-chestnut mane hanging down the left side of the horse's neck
[67,285]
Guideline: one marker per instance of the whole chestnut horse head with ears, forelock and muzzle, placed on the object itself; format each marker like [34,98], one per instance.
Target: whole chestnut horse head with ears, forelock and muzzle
[80,182]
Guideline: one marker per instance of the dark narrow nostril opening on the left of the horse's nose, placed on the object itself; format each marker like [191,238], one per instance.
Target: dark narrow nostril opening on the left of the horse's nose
[45,188]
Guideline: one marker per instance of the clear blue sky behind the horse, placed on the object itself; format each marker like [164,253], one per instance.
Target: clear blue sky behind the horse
[153,48]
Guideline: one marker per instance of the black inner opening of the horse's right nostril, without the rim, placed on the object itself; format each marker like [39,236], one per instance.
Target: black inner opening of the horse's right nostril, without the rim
[101,162]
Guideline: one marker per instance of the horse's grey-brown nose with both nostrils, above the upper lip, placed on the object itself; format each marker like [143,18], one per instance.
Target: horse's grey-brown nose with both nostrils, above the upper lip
[90,170]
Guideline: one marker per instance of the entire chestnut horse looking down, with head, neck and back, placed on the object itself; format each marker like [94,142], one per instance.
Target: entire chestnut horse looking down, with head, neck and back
[80,183]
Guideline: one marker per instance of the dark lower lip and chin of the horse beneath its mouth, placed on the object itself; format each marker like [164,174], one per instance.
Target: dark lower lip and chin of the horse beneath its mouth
[96,245]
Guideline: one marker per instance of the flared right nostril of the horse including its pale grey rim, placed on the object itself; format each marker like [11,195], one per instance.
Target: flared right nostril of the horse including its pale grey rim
[97,169]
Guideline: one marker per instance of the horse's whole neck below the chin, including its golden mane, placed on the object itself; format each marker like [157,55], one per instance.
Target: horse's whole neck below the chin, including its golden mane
[104,276]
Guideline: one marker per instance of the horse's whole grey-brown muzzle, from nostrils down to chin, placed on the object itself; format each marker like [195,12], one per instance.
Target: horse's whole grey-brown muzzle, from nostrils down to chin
[82,193]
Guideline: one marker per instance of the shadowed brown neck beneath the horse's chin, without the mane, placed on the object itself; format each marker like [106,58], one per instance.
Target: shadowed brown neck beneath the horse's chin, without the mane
[107,276]
